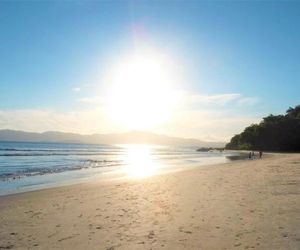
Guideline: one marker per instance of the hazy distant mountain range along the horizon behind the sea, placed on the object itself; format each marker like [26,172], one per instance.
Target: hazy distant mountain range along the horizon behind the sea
[132,137]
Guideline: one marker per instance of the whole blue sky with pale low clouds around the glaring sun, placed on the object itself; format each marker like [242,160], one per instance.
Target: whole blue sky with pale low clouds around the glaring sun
[227,63]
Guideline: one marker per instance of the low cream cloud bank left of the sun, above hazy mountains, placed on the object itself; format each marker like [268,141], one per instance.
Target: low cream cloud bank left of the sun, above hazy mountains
[37,120]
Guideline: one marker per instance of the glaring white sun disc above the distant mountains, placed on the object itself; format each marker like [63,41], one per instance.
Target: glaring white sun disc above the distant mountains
[141,91]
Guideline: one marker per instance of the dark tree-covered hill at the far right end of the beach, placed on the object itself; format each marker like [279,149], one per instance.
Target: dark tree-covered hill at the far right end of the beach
[273,133]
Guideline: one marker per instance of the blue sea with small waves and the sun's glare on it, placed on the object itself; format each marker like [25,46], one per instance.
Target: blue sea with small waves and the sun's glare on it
[26,166]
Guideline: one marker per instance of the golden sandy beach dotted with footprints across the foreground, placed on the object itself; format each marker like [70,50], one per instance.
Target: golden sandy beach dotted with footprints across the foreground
[241,205]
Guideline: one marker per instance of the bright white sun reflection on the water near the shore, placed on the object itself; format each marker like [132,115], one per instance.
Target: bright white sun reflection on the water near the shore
[139,161]
